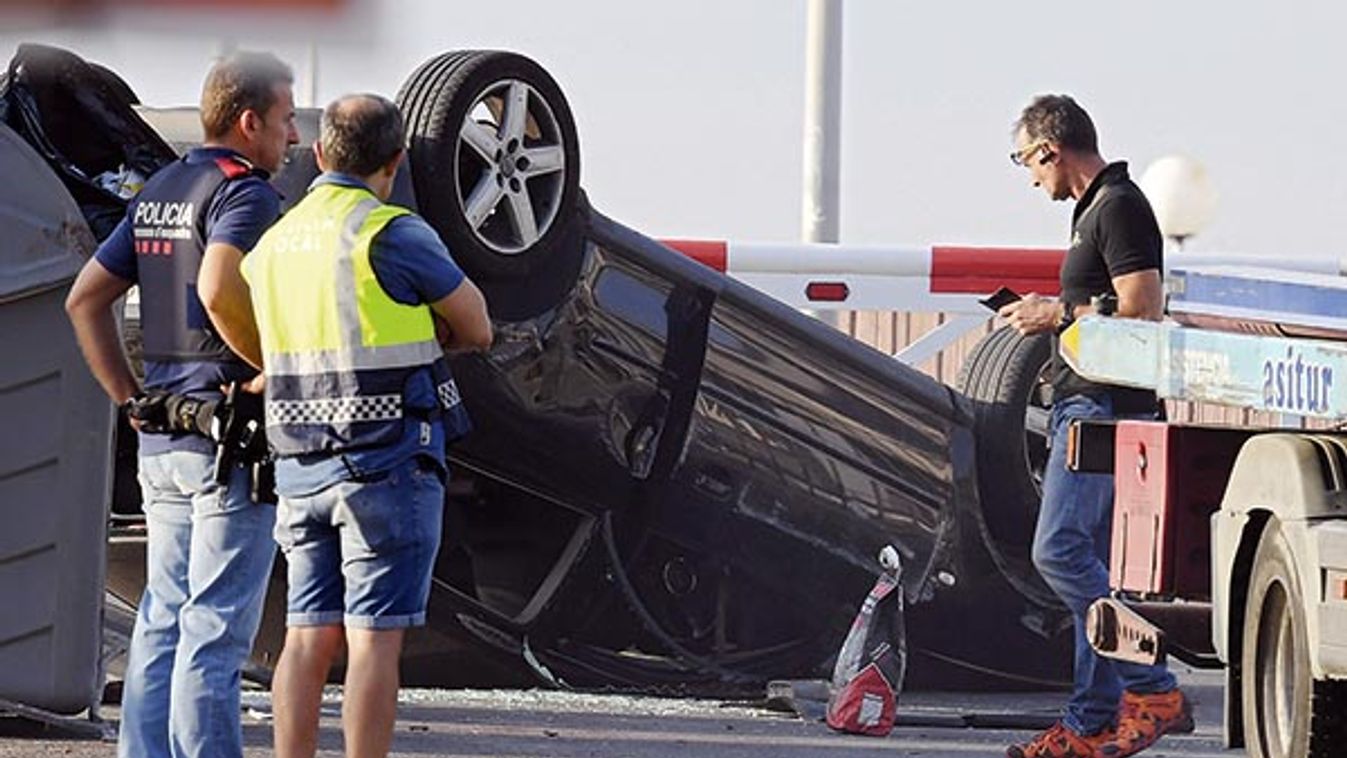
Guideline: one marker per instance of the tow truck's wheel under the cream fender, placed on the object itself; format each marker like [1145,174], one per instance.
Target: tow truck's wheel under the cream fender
[1287,714]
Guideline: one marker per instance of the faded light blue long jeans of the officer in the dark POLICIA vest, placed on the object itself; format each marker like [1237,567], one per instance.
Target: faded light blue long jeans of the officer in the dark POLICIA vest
[208,559]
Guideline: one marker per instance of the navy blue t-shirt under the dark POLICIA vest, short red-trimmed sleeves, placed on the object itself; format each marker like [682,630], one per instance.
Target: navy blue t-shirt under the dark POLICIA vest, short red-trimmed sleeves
[238,216]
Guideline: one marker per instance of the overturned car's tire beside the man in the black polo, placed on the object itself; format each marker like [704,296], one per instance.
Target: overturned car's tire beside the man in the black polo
[1007,379]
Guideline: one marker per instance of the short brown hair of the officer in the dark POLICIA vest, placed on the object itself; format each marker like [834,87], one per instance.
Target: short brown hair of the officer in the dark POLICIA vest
[243,81]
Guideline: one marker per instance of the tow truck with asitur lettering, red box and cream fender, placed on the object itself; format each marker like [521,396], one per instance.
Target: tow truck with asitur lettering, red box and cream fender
[1230,543]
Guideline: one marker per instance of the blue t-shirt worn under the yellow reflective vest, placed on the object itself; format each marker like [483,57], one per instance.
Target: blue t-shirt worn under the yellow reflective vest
[414,267]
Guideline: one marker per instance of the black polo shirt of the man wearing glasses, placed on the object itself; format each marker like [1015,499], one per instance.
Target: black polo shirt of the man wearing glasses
[1113,234]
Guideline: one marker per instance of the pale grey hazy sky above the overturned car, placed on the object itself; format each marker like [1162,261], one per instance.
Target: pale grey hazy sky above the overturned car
[690,112]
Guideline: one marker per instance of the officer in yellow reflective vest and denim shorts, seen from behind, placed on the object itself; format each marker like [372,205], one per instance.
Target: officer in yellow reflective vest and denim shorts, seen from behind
[348,296]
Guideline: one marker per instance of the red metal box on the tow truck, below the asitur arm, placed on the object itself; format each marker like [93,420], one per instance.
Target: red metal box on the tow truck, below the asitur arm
[1169,481]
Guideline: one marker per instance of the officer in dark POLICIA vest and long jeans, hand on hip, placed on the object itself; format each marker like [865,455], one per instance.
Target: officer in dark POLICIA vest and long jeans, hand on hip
[209,549]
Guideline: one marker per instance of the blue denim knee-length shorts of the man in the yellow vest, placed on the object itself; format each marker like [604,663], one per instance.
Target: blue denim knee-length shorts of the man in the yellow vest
[360,553]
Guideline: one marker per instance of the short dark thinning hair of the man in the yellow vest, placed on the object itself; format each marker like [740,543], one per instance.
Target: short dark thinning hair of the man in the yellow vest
[362,134]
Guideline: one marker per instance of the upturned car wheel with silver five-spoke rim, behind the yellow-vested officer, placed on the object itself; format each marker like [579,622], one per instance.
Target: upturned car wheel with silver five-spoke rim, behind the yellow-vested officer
[495,164]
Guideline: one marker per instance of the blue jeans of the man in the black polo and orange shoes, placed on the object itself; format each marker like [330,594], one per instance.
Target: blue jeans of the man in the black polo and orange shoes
[1072,551]
